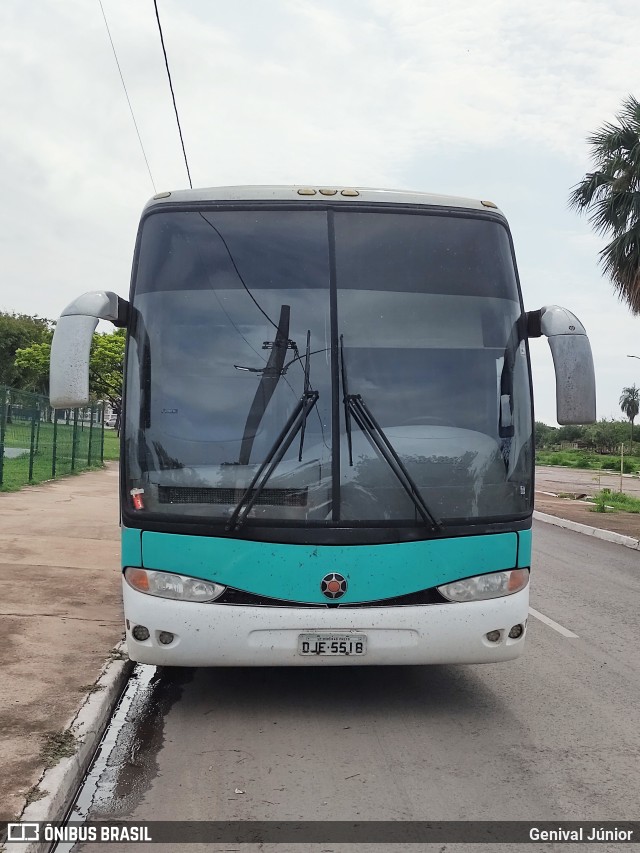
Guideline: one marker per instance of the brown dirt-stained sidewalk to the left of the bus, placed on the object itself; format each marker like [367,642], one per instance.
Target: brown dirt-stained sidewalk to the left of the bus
[60,613]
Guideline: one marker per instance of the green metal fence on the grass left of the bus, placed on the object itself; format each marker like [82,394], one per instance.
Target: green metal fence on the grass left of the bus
[39,443]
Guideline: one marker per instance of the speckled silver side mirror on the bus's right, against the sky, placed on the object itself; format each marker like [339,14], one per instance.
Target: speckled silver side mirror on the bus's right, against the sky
[572,360]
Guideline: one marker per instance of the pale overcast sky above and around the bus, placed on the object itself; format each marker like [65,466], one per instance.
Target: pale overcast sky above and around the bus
[490,99]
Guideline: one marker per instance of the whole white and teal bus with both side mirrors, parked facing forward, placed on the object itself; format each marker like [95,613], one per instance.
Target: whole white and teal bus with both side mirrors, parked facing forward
[327,434]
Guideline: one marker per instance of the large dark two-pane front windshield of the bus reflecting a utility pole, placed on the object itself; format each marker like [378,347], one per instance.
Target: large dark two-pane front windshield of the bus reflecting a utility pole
[241,314]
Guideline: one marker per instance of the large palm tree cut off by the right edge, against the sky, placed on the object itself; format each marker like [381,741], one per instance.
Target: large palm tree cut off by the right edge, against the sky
[611,195]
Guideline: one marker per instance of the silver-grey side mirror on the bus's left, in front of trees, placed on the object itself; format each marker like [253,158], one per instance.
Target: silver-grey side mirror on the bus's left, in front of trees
[71,345]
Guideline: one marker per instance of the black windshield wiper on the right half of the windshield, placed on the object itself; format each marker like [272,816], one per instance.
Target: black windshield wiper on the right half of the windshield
[356,407]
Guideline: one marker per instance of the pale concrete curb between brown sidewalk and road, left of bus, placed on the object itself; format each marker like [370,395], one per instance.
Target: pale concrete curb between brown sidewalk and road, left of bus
[88,725]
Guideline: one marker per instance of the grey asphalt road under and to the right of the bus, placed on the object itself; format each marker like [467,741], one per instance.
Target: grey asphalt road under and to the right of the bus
[552,736]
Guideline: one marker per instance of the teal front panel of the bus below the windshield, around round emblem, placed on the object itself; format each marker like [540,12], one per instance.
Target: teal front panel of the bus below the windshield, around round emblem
[294,572]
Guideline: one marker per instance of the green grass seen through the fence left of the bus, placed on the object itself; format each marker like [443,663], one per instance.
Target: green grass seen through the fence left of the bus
[15,472]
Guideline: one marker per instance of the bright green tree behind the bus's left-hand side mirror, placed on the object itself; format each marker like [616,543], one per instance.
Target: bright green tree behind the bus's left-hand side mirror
[106,365]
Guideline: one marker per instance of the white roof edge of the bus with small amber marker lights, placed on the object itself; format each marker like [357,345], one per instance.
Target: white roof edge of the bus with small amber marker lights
[304,192]
